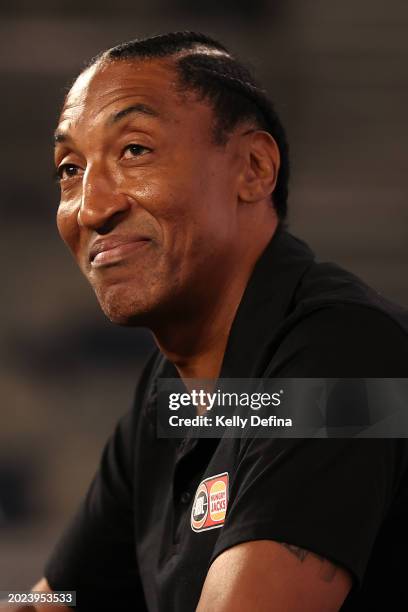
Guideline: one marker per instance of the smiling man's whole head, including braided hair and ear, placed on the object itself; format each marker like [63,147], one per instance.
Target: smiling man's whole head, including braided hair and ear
[172,162]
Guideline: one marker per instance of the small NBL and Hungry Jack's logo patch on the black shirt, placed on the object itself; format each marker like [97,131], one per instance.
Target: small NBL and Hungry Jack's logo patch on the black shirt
[210,503]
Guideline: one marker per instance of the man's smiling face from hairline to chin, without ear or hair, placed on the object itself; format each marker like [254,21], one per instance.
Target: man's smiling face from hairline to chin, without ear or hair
[148,201]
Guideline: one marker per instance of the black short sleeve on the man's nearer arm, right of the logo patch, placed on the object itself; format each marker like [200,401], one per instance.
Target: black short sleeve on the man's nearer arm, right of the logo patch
[330,496]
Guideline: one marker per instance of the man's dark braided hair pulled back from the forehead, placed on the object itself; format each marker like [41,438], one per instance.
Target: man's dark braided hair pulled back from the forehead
[214,73]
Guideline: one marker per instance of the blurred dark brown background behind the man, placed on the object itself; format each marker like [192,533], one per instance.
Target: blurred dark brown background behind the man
[337,73]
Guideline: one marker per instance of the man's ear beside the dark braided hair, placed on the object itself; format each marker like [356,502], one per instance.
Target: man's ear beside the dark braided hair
[261,161]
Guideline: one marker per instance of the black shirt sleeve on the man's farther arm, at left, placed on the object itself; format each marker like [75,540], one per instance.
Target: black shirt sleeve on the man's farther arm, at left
[96,554]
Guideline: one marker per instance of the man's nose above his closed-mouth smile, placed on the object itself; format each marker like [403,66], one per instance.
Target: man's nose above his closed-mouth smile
[103,204]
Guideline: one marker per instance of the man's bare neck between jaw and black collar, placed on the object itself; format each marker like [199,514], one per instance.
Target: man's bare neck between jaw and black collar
[196,342]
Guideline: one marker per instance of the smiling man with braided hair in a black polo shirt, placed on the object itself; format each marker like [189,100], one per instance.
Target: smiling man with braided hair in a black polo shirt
[173,170]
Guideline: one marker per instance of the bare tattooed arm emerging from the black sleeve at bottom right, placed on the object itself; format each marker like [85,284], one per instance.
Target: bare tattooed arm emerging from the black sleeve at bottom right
[266,575]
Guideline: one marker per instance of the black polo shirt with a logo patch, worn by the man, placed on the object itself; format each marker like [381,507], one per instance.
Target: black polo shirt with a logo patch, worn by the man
[138,541]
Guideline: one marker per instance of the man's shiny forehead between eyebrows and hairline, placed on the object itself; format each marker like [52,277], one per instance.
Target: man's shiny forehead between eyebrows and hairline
[106,86]
